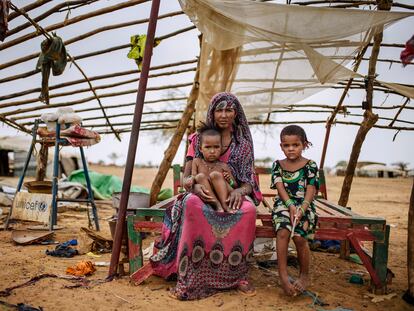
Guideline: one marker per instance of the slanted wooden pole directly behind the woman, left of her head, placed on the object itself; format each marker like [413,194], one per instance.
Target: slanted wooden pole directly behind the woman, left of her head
[176,139]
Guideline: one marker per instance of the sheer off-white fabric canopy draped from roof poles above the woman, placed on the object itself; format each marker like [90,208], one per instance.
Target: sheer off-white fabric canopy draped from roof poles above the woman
[273,55]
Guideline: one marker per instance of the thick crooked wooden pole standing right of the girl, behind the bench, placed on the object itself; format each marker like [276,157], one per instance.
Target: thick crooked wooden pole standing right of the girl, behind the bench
[369,117]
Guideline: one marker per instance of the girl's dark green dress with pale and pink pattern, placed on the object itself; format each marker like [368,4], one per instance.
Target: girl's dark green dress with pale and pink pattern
[295,185]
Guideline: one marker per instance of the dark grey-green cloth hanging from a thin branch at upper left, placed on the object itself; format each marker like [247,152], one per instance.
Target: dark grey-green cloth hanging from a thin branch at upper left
[53,56]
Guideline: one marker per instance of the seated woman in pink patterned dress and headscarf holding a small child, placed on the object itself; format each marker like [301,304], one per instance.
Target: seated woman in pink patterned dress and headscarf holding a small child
[207,250]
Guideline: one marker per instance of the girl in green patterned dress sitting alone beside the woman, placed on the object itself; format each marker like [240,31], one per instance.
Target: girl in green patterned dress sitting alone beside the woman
[296,181]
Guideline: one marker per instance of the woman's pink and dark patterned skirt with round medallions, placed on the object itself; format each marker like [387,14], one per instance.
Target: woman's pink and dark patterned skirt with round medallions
[209,251]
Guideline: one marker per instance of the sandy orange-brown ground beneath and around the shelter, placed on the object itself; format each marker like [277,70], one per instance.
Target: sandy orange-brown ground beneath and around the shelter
[387,198]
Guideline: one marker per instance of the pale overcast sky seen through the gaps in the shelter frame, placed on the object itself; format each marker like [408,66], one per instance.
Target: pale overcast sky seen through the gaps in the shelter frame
[379,145]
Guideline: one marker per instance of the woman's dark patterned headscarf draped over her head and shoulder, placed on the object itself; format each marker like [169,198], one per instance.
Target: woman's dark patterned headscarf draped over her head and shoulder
[241,159]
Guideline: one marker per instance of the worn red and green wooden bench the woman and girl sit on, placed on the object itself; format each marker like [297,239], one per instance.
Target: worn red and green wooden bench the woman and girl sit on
[334,223]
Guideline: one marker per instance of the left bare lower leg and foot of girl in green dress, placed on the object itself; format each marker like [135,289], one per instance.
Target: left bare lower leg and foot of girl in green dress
[282,243]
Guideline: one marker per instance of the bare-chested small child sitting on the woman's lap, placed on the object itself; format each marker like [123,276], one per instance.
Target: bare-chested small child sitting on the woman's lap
[208,171]
